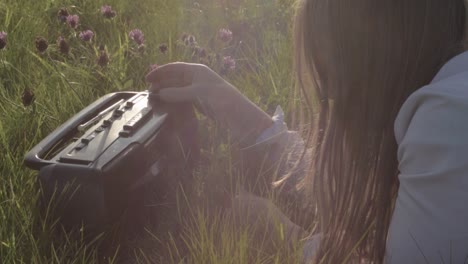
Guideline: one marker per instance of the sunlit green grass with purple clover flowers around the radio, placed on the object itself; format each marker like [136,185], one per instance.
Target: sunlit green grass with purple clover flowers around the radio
[69,74]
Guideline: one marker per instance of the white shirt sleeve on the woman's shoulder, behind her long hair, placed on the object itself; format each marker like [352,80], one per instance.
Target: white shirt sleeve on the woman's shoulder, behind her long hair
[430,219]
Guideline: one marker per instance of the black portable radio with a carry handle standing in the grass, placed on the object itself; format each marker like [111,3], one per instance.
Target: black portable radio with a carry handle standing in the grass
[96,164]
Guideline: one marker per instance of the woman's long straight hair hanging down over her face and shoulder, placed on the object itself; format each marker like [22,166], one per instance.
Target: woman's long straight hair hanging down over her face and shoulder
[359,60]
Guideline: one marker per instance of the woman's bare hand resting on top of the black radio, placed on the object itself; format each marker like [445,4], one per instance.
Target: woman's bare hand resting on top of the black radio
[187,82]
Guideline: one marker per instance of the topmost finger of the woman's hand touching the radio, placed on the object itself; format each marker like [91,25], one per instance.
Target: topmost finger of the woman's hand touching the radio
[175,70]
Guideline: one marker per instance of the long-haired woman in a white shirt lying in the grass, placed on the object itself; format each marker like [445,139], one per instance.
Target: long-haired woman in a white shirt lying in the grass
[390,147]
